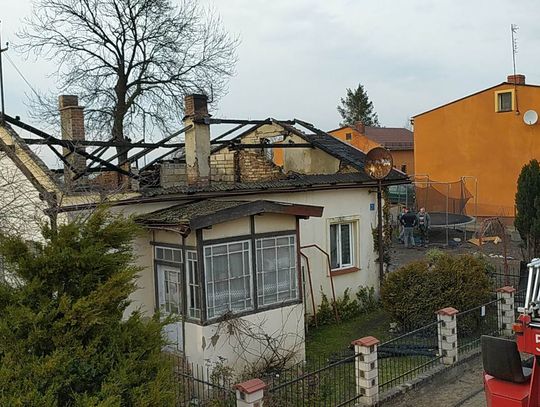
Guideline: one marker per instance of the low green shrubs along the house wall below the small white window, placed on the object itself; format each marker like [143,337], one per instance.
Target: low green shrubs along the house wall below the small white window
[346,306]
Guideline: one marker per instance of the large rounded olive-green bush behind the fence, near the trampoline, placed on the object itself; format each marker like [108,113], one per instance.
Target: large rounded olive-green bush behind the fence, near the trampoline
[413,293]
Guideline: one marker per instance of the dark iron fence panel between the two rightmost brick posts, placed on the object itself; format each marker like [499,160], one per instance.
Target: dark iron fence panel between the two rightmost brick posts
[475,322]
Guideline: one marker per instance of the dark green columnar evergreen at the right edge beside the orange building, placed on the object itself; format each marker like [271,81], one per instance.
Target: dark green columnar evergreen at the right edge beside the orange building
[527,219]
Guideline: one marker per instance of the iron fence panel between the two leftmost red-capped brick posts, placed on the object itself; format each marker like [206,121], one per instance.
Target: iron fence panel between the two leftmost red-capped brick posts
[317,383]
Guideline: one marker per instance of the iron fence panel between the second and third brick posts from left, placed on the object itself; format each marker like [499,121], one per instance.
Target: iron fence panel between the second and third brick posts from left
[405,357]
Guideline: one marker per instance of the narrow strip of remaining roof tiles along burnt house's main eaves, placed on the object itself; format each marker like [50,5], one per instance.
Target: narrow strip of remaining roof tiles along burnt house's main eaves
[293,182]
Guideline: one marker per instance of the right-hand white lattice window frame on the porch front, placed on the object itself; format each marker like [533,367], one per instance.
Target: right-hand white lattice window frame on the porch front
[292,288]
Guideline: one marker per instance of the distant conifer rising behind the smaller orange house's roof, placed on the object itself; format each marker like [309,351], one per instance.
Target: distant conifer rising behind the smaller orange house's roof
[356,107]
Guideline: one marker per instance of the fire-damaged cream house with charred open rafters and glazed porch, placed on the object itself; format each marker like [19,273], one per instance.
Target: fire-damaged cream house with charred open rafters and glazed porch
[236,247]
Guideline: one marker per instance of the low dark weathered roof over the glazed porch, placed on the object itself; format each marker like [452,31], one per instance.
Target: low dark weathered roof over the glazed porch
[201,214]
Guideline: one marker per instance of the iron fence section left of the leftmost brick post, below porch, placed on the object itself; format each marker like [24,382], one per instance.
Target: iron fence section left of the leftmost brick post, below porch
[202,386]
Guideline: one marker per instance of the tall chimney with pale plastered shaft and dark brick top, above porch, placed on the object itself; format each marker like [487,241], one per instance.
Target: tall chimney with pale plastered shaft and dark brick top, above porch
[197,139]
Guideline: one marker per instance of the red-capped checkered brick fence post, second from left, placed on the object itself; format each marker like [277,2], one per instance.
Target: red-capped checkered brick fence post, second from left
[366,370]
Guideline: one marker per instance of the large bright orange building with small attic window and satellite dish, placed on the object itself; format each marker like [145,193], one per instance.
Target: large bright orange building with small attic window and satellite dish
[488,137]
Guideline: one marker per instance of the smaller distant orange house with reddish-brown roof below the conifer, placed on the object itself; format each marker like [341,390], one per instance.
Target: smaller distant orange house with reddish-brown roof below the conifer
[399,141]
